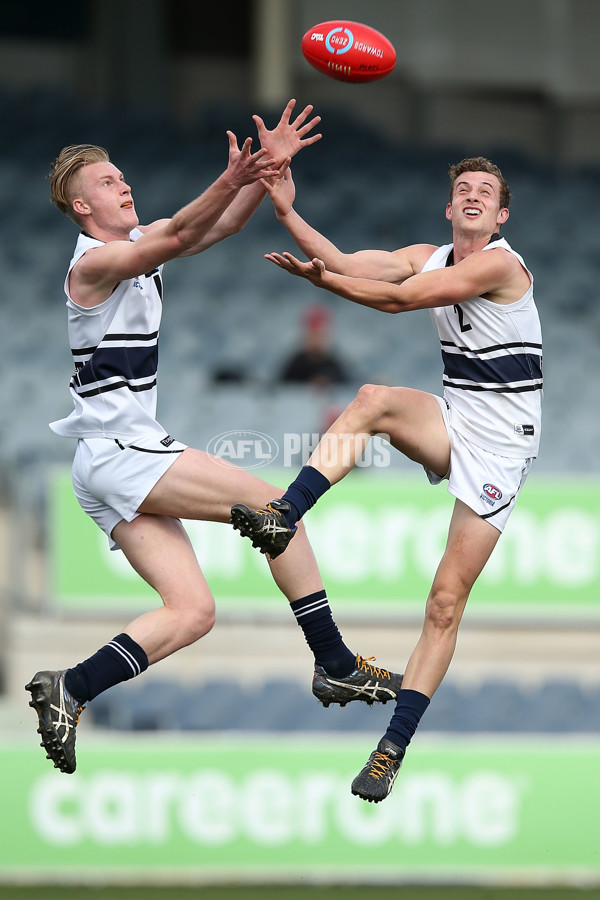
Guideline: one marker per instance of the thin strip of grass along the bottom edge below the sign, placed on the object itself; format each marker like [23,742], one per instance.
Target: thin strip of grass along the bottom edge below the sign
[284,892]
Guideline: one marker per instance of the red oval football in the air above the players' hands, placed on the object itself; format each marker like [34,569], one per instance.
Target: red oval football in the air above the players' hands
[349,51]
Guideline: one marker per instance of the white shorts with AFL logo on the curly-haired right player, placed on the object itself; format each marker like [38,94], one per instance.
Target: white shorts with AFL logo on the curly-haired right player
[486,482]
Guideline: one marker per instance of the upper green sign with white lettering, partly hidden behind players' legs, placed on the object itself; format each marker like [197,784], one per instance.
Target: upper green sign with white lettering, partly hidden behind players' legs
[378,539]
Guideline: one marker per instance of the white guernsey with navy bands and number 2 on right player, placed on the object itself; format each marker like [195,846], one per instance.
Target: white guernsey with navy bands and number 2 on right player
[492,356]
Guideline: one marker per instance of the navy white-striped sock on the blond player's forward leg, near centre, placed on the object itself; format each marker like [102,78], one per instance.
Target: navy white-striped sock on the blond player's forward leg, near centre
[322,636]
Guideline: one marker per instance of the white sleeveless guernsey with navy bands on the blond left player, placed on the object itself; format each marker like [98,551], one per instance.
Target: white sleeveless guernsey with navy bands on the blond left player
[115,349]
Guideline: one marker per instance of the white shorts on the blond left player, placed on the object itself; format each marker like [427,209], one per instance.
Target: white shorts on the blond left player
[112,478]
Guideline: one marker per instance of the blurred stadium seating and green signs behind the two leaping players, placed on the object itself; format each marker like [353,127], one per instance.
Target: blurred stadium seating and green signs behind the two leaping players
[501,784]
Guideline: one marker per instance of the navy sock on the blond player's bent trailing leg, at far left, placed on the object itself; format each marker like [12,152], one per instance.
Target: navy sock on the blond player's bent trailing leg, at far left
[120,659]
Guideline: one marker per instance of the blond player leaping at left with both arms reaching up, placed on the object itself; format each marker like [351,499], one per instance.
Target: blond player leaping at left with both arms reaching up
[129,474]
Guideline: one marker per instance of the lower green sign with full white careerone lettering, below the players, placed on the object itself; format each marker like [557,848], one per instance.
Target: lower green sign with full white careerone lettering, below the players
[201,808]
